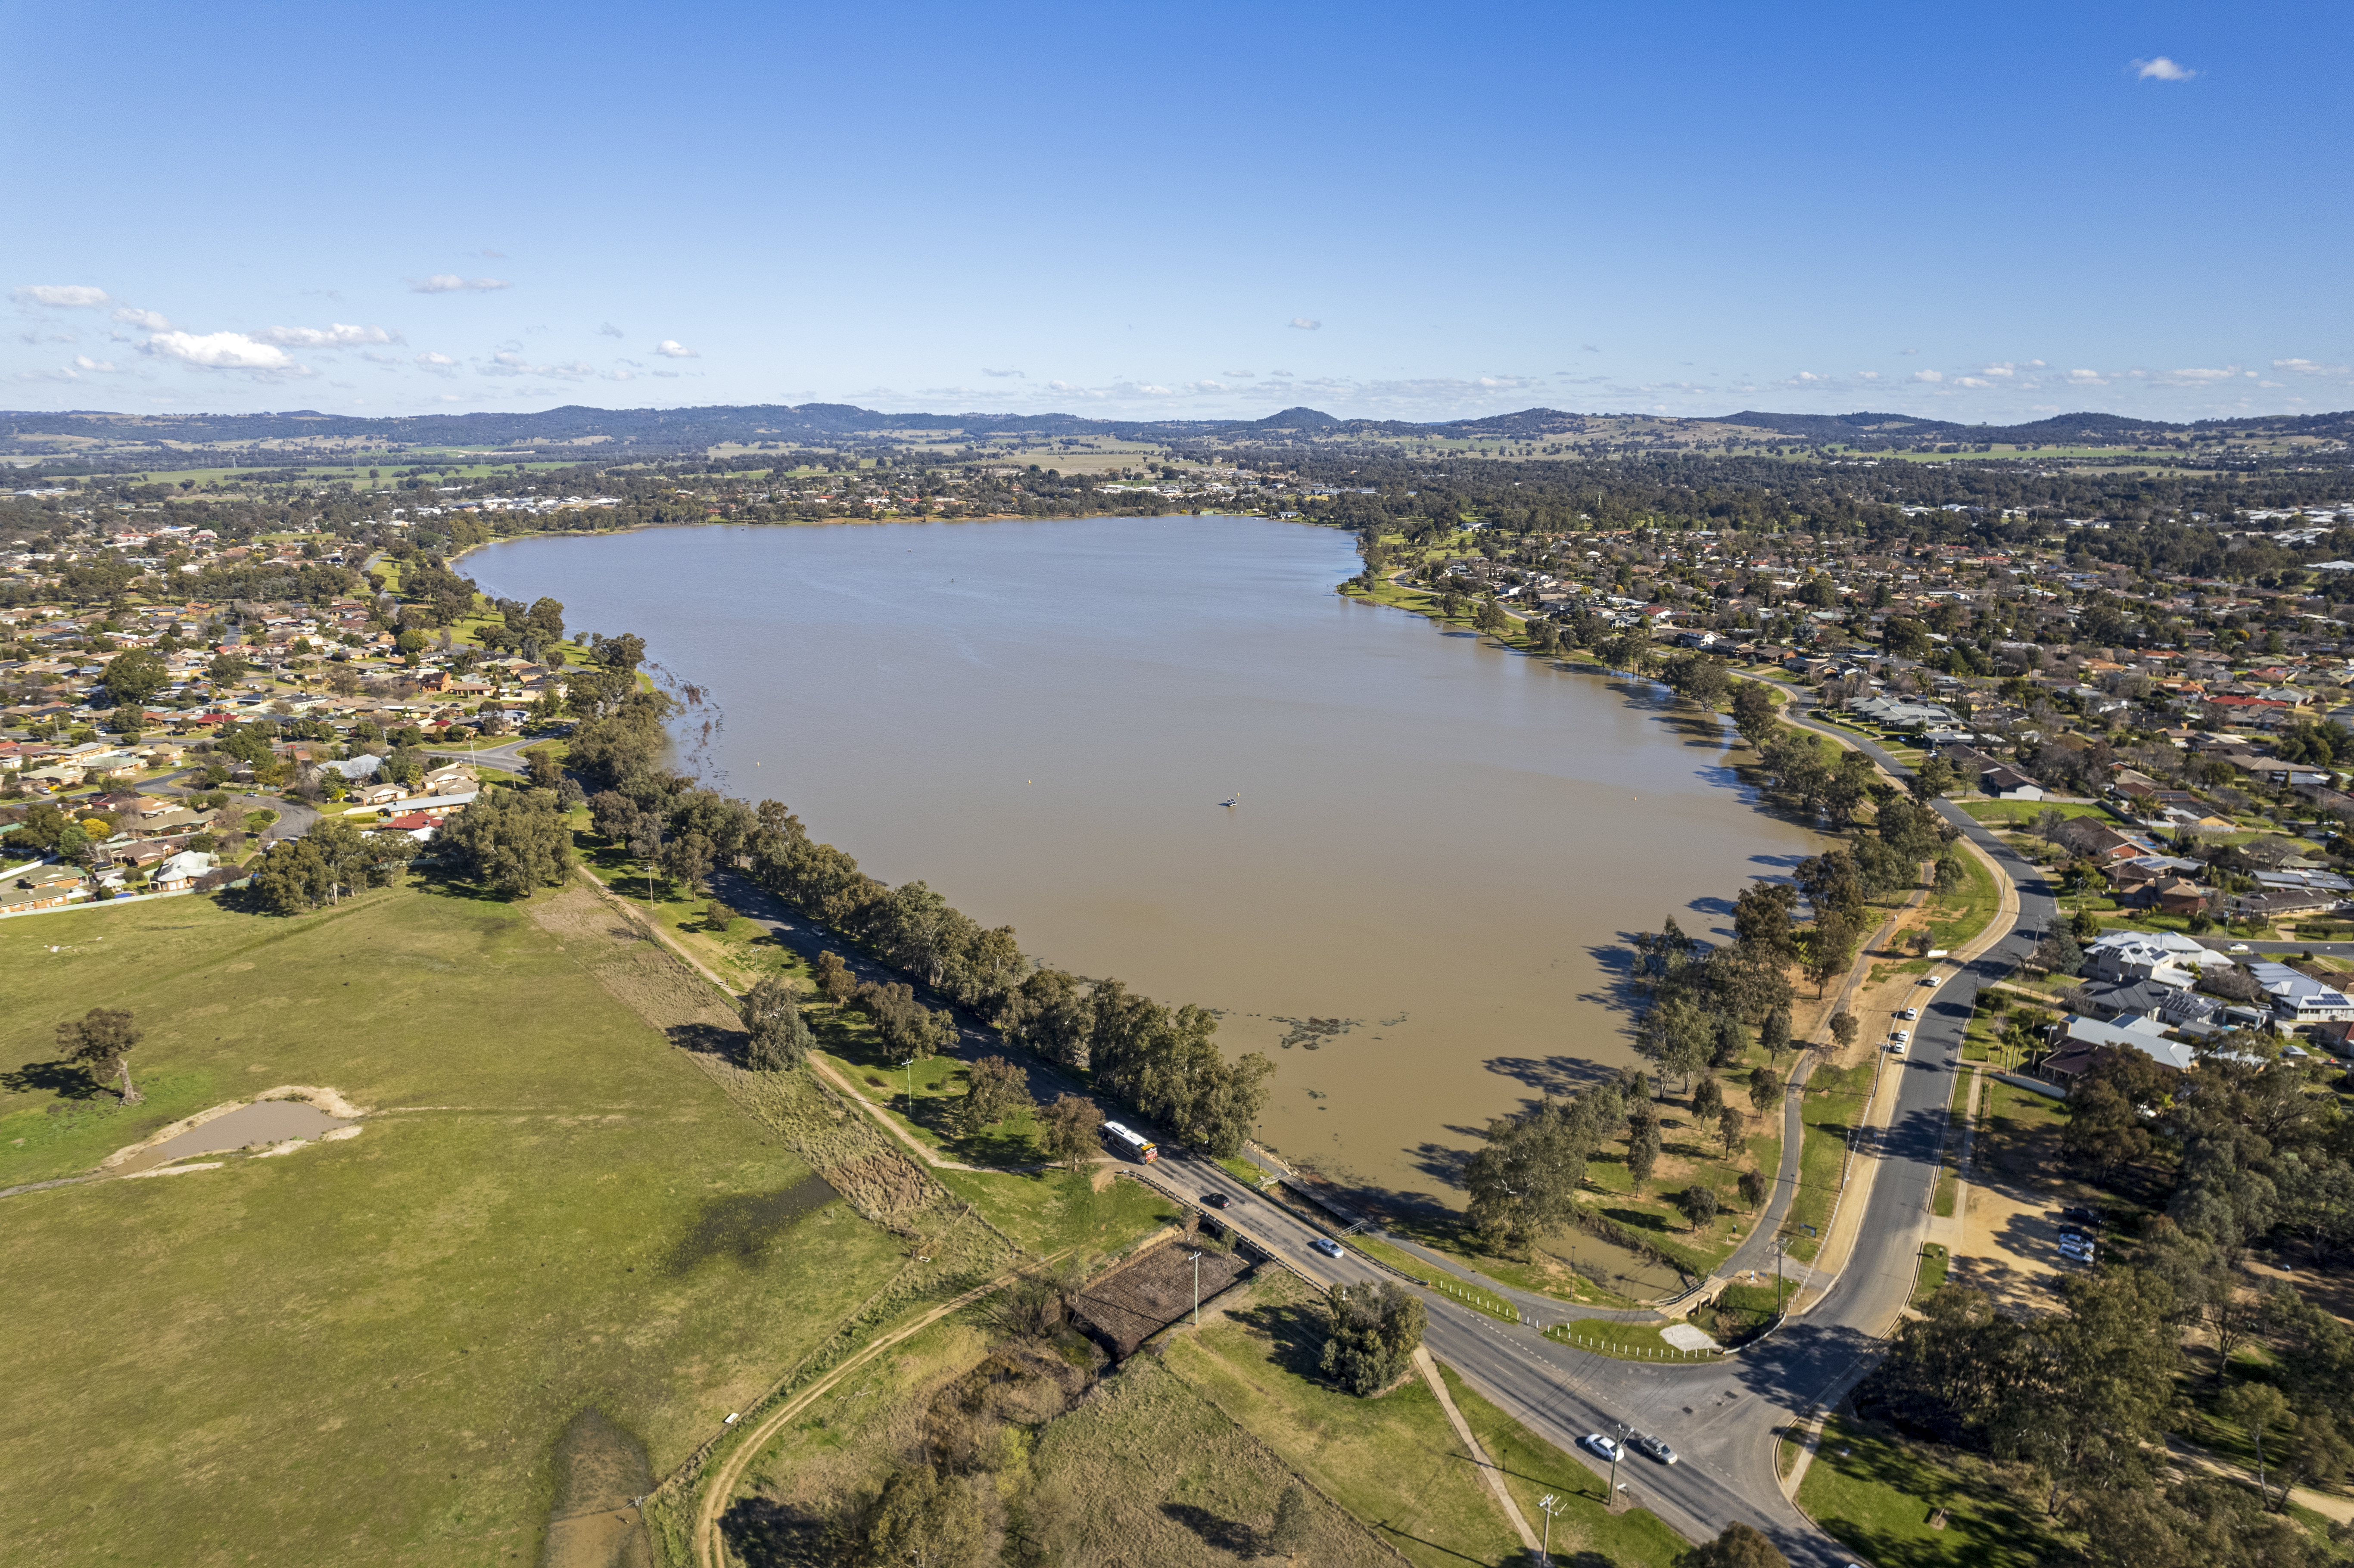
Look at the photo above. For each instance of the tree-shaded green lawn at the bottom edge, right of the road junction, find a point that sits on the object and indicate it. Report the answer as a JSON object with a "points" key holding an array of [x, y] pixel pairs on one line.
{"points": [[1877, 1496]]}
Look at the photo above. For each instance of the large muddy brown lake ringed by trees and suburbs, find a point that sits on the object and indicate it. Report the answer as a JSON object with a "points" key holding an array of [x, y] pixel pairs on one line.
{"points": [[1437, 844]]}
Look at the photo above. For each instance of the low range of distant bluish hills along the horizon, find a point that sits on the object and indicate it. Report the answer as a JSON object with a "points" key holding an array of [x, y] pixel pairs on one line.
{"points": [[646, 432]]}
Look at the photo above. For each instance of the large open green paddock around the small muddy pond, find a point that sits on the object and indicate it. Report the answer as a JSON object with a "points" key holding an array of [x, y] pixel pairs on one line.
{"points": [[366, 1353]]}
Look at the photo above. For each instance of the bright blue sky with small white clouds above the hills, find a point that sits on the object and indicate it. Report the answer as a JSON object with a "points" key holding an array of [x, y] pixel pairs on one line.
{"points": [[1421, 213]]}
